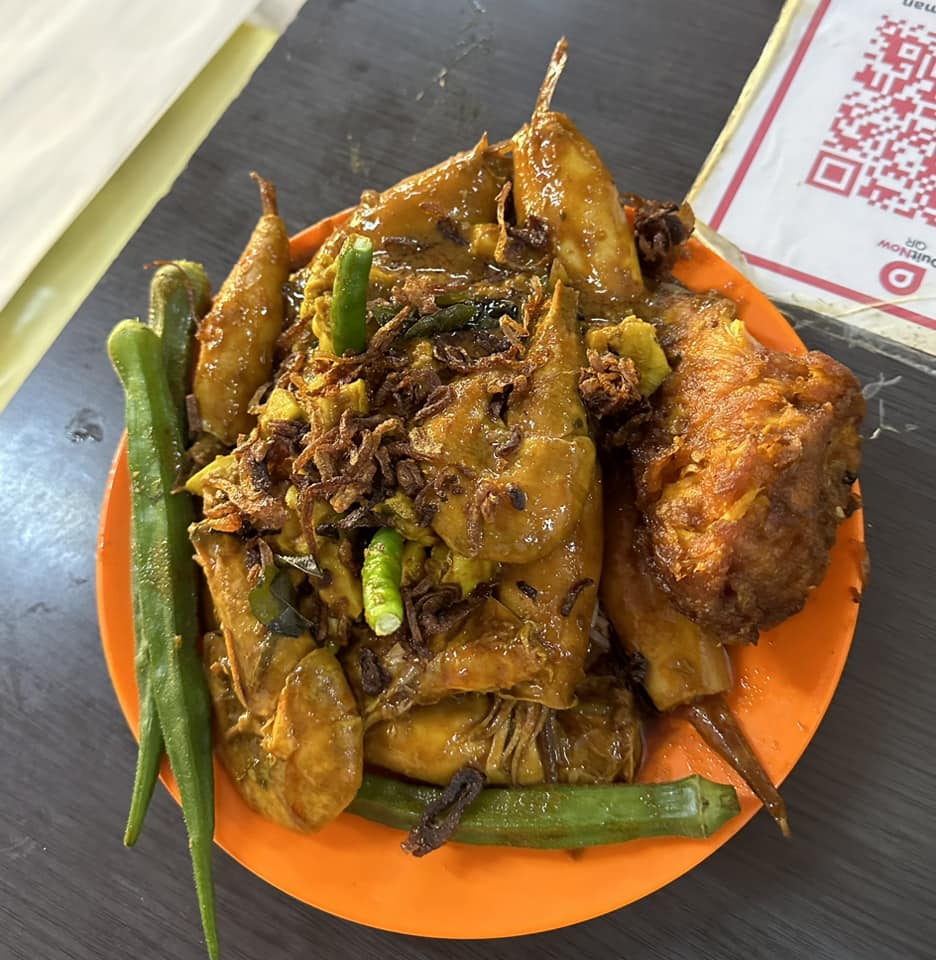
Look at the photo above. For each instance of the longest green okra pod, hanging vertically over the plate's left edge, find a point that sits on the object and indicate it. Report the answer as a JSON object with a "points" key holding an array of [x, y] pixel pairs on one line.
{"points": [[164, 574]]}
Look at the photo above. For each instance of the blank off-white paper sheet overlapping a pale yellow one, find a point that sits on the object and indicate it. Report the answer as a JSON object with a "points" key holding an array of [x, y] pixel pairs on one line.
{"points": [[81, 83]]}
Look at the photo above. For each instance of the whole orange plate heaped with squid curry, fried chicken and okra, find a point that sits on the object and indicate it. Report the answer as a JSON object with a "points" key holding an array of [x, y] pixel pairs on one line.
{"points": [[481, 559]]}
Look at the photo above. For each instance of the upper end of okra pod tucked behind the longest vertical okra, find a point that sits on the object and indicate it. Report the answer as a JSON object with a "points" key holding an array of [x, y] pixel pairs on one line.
{"points": [[179, 296]]}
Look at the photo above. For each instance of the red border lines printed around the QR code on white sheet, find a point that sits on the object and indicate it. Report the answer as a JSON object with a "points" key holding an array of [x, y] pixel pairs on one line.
{"points": [[747, 160]]}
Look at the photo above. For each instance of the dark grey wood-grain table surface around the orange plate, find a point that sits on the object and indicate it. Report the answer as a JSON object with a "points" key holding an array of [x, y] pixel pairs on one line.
{"points": [[355, 95]]}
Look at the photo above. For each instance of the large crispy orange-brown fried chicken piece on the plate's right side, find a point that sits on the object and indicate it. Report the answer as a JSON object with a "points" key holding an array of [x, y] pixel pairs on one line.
{"points": [[744, 469]]}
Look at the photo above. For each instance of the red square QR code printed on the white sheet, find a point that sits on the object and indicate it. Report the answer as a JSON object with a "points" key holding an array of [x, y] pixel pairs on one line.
{"points": [[881, 145]]}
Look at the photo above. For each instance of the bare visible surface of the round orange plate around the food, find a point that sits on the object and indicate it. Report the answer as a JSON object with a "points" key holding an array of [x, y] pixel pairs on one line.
{"points": [[356, 870]]}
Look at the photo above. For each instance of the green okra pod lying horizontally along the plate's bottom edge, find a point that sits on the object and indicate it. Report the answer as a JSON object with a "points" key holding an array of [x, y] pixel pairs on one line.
{"points": [[561, 816]]}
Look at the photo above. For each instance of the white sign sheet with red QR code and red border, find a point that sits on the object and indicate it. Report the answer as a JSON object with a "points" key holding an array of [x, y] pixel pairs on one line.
{"points": [[825, 177]]}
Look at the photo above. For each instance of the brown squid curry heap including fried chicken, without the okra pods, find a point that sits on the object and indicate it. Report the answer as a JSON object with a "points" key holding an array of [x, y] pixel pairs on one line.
{"points": [[523, 514]]}
